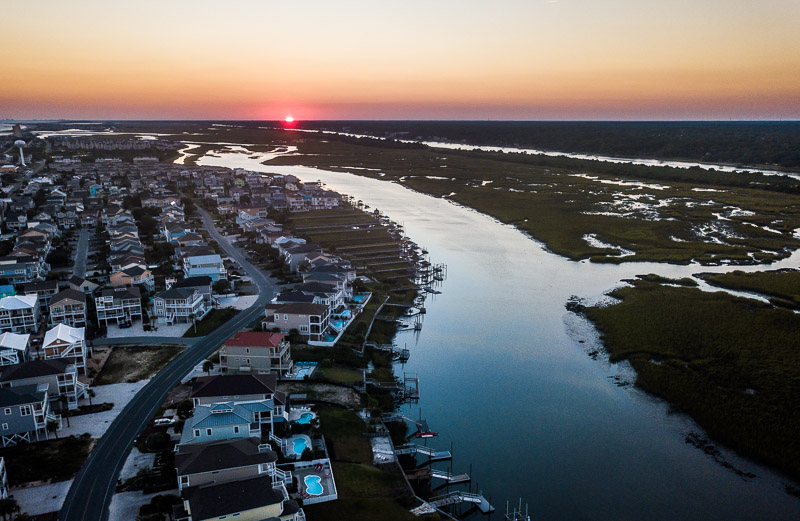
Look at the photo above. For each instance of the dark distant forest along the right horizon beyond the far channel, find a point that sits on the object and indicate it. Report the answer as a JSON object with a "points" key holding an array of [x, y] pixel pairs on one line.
{"points": [[743, 143]]}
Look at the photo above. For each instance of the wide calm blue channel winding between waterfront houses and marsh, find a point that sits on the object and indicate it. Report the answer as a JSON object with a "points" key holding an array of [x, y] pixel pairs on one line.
{"points": [[505, 375]]}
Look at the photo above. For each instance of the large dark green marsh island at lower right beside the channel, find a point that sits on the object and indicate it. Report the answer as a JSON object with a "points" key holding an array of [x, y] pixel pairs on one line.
{"points": [[733, 364]]}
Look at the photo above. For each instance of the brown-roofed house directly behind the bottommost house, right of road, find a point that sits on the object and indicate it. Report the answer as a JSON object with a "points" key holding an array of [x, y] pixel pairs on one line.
{"points": [[230, 460]]}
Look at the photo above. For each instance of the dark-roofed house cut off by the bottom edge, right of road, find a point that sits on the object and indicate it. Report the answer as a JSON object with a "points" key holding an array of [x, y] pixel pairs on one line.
{"points": [[250, 499]]}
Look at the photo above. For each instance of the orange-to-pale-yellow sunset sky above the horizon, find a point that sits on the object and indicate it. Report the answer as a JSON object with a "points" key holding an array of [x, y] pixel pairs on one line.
{"points": [[391, 59]]}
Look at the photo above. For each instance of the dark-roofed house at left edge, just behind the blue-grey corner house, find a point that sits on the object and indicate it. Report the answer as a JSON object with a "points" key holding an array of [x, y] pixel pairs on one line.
{"points": [[59, 376]]}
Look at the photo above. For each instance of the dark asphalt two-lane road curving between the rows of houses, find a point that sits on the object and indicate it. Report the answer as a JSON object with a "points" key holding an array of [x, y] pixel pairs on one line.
{"points": [[91, 491]]}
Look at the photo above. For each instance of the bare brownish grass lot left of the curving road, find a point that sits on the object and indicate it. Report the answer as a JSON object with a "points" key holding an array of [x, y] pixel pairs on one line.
{"points": [[134, 363]]}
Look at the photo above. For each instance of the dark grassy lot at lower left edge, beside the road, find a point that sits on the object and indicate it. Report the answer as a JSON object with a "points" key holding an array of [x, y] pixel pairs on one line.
{"points": [[55, 459]]}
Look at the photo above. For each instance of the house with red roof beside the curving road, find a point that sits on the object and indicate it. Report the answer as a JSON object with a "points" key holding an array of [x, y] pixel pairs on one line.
{"points": [[257, 353]]}
